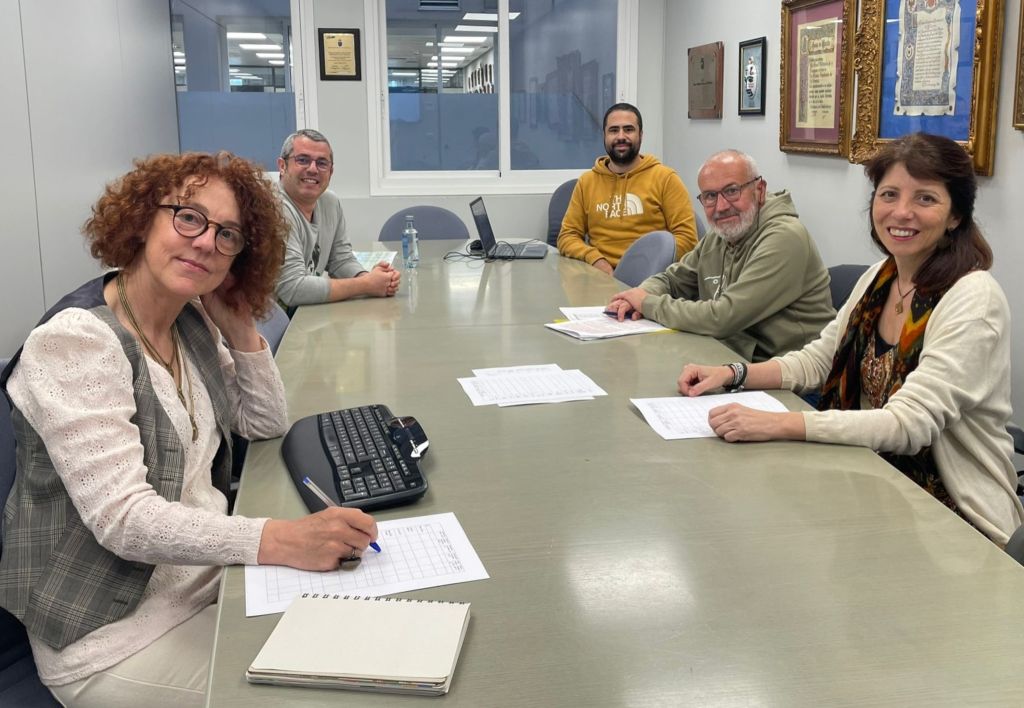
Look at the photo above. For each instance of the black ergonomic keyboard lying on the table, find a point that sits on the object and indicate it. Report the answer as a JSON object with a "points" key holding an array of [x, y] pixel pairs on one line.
{"points": [[363, 457]]}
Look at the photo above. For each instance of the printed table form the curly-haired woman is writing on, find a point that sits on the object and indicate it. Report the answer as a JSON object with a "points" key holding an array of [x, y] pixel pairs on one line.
{"points": [[416, 553]]}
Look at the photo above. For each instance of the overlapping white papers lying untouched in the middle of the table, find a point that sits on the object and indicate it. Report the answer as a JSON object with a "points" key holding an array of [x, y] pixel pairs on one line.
{"points": [[519, 390]]}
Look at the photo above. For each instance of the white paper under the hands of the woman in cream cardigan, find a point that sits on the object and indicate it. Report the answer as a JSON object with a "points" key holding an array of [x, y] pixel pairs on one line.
{"points": [[680, 418]]}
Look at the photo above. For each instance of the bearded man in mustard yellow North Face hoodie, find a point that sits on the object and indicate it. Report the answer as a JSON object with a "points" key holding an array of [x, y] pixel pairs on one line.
{"points": [[625, 196]]}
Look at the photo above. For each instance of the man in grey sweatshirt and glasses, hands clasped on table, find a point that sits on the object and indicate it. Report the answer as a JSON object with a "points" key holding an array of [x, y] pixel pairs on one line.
{"points": [[320, 266]]}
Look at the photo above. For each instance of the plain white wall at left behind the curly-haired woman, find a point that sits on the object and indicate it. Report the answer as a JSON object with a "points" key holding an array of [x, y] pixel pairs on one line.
{"points": [[75, 116]]}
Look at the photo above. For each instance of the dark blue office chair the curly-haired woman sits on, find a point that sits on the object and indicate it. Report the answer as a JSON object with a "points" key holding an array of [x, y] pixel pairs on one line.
{"points": [[20, 685]]}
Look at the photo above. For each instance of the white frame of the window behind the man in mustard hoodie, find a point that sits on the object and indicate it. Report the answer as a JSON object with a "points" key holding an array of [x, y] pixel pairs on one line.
{"points": [[385, 182]]}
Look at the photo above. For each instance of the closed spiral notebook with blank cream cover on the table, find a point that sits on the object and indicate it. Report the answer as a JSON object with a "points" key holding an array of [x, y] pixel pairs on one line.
{"points": [[387, 645]]}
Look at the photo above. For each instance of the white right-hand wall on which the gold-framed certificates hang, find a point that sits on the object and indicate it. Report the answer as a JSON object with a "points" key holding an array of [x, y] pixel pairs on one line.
{"points": [[832, 194]]}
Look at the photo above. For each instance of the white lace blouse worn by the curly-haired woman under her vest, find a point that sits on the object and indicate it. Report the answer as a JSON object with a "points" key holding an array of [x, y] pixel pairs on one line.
{"points": [[74, 386]]}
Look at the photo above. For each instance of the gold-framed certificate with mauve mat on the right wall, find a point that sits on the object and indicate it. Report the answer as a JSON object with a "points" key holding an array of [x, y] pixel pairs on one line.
{"points": [[817, 76]]}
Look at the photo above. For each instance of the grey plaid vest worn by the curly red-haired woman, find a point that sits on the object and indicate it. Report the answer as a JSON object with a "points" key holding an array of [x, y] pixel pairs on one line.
{"points": [[55, 576]]}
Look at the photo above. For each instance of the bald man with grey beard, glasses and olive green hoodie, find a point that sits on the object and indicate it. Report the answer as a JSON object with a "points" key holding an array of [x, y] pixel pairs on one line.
{"points": [[756, 281]]}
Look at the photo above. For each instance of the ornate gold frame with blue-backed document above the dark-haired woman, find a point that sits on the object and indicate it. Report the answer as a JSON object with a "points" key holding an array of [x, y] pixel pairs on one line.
{"points": [[899, 53]]}
